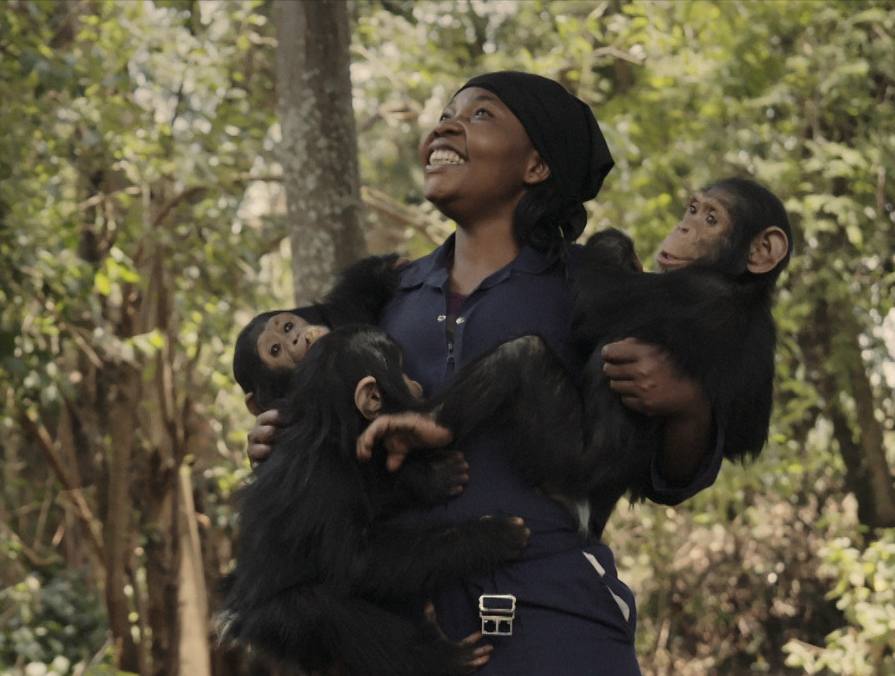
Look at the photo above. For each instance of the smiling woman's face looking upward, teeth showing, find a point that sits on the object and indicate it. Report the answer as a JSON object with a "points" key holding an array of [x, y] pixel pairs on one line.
{"points": [[478, 158]]}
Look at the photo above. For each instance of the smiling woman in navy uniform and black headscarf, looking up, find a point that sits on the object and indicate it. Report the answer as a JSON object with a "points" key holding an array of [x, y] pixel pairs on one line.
{"points": [[512, 160]]}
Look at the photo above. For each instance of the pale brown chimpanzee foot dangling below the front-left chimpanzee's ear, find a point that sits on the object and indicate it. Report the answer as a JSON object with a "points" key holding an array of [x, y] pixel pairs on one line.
{"points": [[400, 433]]}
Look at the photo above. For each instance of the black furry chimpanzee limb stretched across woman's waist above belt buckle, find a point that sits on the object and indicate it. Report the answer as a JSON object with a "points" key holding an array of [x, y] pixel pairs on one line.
{"points": [[402, 562]]}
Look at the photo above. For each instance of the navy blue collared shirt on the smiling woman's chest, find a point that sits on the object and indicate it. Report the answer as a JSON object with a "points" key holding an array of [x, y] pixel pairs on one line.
{"points": [[529, 296]]}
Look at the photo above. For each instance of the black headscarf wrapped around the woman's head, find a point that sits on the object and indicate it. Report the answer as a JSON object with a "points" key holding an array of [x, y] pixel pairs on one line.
{"points": [[562, 128]]}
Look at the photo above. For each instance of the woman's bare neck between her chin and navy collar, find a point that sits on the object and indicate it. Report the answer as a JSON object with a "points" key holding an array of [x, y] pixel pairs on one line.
{"points": [[479, 252]]}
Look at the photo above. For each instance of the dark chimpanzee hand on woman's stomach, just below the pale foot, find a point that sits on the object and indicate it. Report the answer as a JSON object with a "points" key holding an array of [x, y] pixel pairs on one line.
{"points": [[432, 479]]}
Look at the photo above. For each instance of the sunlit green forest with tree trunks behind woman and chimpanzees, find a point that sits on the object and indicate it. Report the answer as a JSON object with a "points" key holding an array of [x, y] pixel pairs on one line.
{"points": [[143, 220]]}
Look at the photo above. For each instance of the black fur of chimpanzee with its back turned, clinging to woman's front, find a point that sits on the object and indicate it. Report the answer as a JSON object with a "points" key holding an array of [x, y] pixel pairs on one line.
{"points": [[317, 570]]}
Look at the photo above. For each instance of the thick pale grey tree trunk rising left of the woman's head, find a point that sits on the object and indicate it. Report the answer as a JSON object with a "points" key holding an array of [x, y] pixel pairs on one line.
{"points": [[319, 142]]}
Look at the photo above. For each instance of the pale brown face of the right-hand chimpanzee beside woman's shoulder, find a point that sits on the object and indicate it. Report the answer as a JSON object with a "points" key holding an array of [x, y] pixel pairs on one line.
{"points": [[701, 235]]}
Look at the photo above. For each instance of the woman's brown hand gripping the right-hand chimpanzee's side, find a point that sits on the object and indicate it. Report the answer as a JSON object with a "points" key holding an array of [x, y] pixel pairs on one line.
{"points": [[648, 381]]}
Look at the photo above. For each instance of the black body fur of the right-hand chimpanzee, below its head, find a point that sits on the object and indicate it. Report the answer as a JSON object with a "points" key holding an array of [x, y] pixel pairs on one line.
{"points": [[717, 327]]}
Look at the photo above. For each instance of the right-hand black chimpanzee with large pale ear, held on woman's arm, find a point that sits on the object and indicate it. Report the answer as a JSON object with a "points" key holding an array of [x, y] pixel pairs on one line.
{"points": [[710, 309]]}
